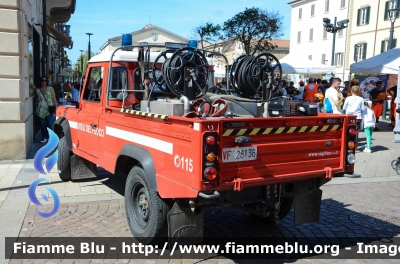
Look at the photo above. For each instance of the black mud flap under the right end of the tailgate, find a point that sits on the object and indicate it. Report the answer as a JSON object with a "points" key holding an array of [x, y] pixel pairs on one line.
{"points": [[307, 207]]}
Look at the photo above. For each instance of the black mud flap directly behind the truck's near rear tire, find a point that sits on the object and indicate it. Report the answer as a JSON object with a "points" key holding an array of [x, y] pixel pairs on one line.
{"points": [[185, 226]]}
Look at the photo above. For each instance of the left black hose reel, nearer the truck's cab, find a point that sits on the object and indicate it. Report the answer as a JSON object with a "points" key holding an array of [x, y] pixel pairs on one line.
{"points": [[178, 74]]}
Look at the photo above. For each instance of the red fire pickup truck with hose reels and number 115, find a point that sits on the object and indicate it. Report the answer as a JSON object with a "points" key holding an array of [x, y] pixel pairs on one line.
{"points": [[145, 113]]}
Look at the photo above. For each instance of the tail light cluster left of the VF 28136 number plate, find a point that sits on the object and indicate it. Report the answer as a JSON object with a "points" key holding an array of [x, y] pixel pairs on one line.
{"points": [[210, 150]]}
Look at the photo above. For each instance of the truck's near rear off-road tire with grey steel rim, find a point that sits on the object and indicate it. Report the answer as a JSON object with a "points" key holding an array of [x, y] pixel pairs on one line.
{"points": [[147, 217]]}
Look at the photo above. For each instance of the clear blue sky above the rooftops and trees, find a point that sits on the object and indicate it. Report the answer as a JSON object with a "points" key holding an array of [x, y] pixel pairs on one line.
{"points": [[107, 19]]}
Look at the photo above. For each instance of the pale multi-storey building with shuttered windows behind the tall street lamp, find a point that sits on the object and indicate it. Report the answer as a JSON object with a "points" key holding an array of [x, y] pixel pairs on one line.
{"points": [[367, 33]]}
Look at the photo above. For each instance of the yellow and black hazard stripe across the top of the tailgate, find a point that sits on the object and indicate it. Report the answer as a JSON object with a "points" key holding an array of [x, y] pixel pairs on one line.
{"points": [[279, 130]]}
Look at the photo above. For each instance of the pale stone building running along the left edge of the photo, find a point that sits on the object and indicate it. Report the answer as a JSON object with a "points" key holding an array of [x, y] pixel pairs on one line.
{"points": [[27, 43]]}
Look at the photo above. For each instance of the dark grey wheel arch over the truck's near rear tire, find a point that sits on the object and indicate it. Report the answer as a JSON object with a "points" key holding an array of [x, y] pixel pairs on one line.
{"points": [[133, 155]]}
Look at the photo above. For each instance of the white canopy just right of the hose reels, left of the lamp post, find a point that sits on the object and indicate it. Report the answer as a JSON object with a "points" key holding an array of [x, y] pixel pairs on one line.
{"points": [[297, 63]]}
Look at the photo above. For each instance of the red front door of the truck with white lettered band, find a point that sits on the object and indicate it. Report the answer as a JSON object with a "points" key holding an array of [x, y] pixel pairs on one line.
{"points": [[89, 130]]}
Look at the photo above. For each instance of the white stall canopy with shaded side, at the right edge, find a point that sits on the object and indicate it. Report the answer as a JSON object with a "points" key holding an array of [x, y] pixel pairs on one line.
{"points": [[384, 63]]}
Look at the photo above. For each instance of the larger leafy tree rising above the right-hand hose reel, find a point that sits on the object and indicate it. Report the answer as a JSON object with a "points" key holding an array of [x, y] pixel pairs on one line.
{"points": [[255, 28]]}
